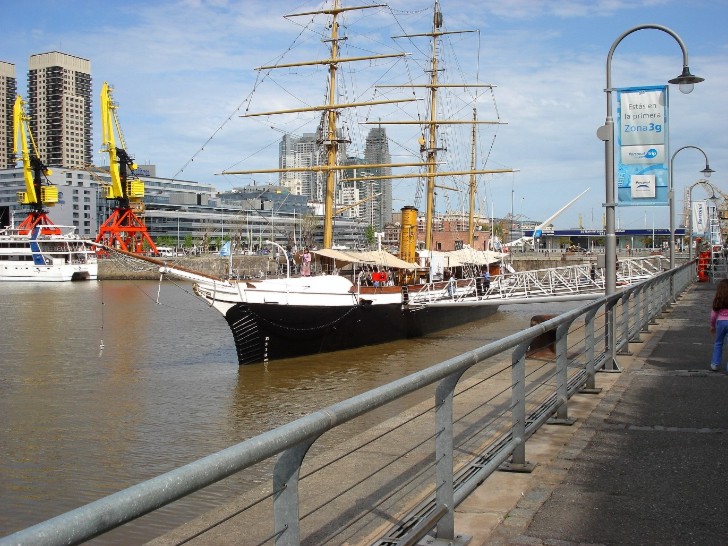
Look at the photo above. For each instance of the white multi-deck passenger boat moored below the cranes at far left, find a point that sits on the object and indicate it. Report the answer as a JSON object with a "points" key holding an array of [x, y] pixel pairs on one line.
{"points": [[46, 253]]}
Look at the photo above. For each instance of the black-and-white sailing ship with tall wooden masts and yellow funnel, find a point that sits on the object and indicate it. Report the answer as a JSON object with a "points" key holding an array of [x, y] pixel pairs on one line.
{"points": [[278, 318]]}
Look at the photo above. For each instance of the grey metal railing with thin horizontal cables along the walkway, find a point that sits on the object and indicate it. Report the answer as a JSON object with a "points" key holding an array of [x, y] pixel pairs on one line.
{"points": [[403, 477]]}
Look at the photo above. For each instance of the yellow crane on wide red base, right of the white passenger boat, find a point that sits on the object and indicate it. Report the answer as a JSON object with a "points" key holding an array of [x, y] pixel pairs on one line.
{"points": [[123, 228]]}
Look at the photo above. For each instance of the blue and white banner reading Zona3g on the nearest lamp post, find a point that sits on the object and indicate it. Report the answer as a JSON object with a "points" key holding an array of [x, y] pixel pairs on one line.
{"points": [[642, 144]]}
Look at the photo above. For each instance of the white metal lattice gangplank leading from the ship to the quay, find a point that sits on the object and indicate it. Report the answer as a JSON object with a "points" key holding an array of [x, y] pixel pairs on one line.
{"points": [[567, 283]]}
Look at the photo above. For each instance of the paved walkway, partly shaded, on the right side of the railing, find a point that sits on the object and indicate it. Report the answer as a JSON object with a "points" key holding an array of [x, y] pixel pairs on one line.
{"points": [[646, 462]]}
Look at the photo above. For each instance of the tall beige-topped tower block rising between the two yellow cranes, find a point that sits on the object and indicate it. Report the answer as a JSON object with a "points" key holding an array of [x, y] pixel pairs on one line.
{"points": [[59, 104]]}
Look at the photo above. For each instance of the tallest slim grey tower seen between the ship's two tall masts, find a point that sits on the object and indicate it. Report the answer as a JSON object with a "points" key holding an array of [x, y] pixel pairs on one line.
{"points": [[376, 152]]}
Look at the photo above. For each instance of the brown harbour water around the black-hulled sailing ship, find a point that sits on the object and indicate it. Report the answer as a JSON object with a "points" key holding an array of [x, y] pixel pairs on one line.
{"points": [[101, 387]]}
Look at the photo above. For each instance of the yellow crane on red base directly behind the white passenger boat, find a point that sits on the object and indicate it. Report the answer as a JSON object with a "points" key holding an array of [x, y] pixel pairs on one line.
{"points": [[39, 192]]}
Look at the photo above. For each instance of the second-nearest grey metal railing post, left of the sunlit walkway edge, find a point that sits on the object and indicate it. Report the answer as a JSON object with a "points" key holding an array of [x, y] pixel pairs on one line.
{"points": [[444, 491]]}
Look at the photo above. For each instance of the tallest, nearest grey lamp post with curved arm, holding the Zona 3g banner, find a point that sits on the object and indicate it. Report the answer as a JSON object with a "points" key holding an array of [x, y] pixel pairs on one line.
{"points": [[686, 82]]}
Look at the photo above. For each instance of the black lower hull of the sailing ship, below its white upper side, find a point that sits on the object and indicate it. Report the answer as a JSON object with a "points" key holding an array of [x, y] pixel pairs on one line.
{"points": [[264, 332]]}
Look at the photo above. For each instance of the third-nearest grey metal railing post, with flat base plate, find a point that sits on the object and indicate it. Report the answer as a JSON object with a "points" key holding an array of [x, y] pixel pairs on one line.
{"points": [[518, 461]]}
